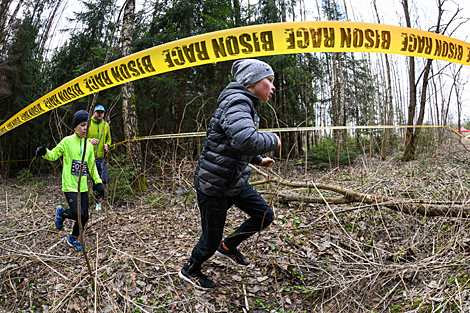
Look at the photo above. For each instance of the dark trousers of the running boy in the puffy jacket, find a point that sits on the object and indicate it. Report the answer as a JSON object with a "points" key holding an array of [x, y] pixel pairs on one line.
{"points": [[213, 214]]}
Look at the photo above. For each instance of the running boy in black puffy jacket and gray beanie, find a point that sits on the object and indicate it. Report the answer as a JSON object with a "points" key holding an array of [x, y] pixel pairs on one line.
{"points": [[221, 176]]}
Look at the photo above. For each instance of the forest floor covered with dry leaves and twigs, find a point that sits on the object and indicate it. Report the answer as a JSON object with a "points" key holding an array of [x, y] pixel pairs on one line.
{"points": [[348, 257]]}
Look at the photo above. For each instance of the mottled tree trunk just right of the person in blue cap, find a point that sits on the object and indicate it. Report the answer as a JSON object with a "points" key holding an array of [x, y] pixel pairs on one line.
{"points": [[129, 110]]}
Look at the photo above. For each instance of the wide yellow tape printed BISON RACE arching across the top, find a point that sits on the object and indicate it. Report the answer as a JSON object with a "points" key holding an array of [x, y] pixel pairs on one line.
{"points": [[249, 42]]}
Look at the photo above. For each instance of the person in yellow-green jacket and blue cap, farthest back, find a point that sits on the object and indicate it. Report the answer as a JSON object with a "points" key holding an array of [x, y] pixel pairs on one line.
{"points": [[99, 136]]}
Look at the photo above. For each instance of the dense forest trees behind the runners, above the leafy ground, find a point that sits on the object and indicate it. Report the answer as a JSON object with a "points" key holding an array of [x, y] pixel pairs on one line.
{"points": [[315, 89]]}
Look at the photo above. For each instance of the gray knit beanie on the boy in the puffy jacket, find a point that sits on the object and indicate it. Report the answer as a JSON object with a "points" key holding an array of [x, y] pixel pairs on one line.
{"points": [[250, 71]]}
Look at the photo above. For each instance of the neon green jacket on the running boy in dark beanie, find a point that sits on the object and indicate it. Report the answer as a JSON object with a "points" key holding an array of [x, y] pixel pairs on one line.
{"points": [[71, 148]]}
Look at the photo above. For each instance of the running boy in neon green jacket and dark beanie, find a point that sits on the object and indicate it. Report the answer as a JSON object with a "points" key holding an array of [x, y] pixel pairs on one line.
{"points": [[72, 148]]}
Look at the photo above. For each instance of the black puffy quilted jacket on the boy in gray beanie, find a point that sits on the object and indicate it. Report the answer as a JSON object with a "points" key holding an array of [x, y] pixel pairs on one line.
{"points": [[232, 141]]}
